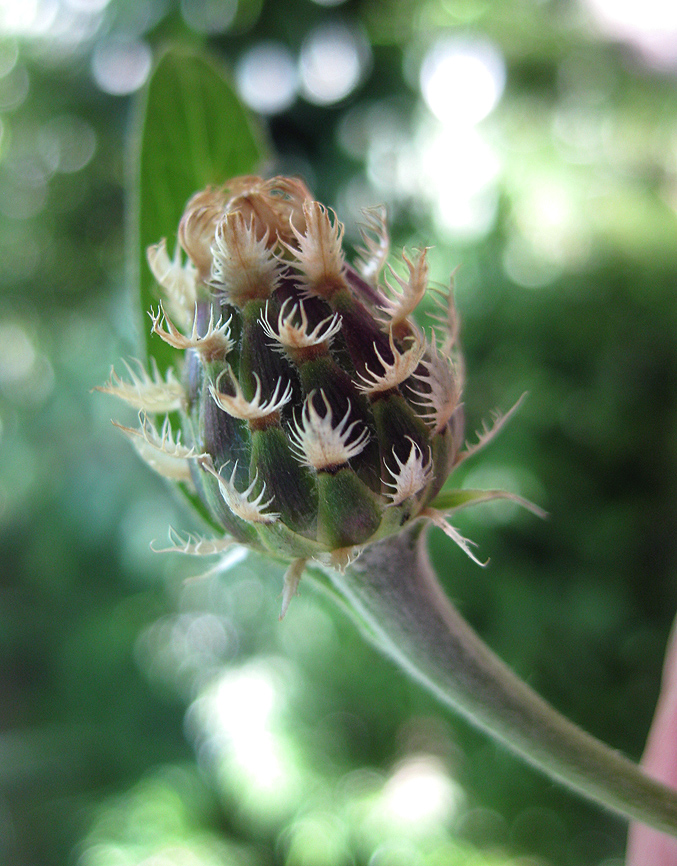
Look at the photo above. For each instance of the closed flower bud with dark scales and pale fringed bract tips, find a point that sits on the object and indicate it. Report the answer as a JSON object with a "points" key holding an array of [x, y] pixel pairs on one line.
{"points": [[316, 416]]}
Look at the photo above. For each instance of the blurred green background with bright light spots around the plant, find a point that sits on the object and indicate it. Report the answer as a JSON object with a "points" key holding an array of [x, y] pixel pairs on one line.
{"points": [[153, 713]]}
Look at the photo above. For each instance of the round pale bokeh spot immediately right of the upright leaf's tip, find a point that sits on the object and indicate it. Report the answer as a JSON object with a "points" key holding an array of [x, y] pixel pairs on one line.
{"points": [[266, 77]]}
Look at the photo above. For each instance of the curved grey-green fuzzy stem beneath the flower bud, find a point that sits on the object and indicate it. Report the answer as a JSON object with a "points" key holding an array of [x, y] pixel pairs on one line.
{"points": [[395, 593]]}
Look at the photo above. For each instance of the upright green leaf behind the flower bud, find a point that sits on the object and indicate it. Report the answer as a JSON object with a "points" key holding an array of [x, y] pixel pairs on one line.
{"points": [[191, 131]]}
